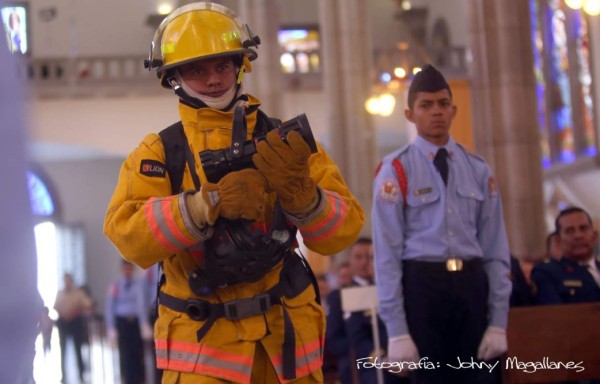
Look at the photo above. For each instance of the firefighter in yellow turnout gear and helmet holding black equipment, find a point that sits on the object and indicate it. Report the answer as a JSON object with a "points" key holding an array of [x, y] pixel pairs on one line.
{"points": [[262, 326]]}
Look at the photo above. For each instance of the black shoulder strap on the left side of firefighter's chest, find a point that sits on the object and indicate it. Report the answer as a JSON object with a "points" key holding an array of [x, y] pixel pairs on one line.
{"points": [[177, 152]]}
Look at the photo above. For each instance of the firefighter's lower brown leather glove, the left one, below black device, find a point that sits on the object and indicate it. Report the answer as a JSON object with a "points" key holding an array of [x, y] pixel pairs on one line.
{"points": [[238, 195]]}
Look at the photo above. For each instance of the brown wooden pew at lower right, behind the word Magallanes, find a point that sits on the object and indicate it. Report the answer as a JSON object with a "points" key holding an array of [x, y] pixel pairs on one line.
{"points": [[553, 336]]}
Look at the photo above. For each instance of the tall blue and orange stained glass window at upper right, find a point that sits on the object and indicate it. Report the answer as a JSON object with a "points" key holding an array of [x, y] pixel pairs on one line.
{"points": [[561, 59]]}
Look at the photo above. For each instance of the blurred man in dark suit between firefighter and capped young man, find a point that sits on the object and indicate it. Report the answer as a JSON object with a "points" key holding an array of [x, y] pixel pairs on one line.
{"points": [[349, 335]]}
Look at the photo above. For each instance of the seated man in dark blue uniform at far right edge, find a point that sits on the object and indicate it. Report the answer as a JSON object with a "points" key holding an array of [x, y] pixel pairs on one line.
{"points": [[575, 278]]}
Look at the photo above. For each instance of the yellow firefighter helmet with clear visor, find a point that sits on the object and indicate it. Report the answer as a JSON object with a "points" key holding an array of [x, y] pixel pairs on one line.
{"points": [[200, 31]]}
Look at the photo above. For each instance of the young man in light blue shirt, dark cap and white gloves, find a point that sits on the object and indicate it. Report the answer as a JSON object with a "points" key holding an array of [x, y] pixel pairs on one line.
{"points": [[441, 252]]}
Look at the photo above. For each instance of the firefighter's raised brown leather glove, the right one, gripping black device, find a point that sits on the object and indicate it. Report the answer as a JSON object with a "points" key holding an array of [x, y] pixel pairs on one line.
{"points": [[285, 166]]}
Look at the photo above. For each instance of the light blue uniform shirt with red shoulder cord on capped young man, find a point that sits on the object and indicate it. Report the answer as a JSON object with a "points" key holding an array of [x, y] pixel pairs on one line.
{"points": [[463, 220]]}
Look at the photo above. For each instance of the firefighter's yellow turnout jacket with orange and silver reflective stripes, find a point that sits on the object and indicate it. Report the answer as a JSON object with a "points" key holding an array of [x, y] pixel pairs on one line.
{"points": [[148, 224]]}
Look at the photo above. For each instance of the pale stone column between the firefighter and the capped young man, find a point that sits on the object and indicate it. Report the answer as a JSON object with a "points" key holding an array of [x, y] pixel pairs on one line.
{"points": [[347, 75]]}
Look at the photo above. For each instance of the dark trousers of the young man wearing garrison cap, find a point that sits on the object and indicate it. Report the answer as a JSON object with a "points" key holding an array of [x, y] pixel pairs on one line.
{"points": [[447, 315]]}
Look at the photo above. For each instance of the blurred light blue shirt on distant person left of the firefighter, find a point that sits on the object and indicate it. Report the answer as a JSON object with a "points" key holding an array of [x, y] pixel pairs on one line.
{"points": [[126, 301]]}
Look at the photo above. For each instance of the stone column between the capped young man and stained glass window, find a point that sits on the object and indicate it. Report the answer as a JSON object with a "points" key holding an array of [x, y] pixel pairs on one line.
{"points": [[505, 117]]}
